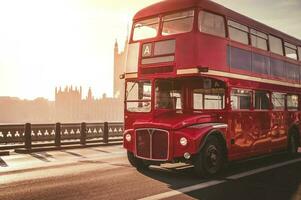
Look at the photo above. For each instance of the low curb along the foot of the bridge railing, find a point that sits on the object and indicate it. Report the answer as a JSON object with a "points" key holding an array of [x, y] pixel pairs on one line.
{"points": [[54, 148]]}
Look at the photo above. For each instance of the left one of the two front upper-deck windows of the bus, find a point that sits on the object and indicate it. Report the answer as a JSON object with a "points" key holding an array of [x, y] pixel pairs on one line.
{"points": [[146, 29]]}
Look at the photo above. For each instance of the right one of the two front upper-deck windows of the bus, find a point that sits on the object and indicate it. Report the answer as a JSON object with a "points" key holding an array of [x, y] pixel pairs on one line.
{"points": [[181, 22]]}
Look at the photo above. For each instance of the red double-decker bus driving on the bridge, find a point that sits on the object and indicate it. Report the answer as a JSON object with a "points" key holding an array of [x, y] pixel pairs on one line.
{"points": [[206, 85]]}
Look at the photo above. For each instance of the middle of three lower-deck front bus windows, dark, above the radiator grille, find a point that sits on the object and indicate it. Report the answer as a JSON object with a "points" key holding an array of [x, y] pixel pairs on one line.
{"points": [[168, 95]]}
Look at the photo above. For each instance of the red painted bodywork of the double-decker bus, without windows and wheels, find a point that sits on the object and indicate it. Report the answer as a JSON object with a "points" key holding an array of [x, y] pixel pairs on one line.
{"points": [[199, 57]]}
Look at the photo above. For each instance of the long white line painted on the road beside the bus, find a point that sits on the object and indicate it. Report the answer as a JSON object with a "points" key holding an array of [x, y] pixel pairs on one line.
{"points": [[216, 182]]}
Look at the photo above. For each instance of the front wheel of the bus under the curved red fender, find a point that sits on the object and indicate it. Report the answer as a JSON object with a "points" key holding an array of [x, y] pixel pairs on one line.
{"points": [[210, 159]]}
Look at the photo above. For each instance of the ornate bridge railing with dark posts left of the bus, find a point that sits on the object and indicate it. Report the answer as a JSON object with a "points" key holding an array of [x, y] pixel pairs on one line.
{"points": [[29, 135]]}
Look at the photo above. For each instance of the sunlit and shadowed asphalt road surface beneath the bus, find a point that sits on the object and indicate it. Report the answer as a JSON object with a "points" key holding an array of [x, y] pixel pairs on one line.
{"points": [[104, 173]]}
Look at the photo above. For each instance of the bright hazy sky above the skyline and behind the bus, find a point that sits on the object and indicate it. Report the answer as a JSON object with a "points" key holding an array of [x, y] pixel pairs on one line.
{"points": [[48, 43]]}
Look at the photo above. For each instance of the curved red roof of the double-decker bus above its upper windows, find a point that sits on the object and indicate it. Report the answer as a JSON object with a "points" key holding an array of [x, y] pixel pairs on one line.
{"points": [[166, 6]]}
